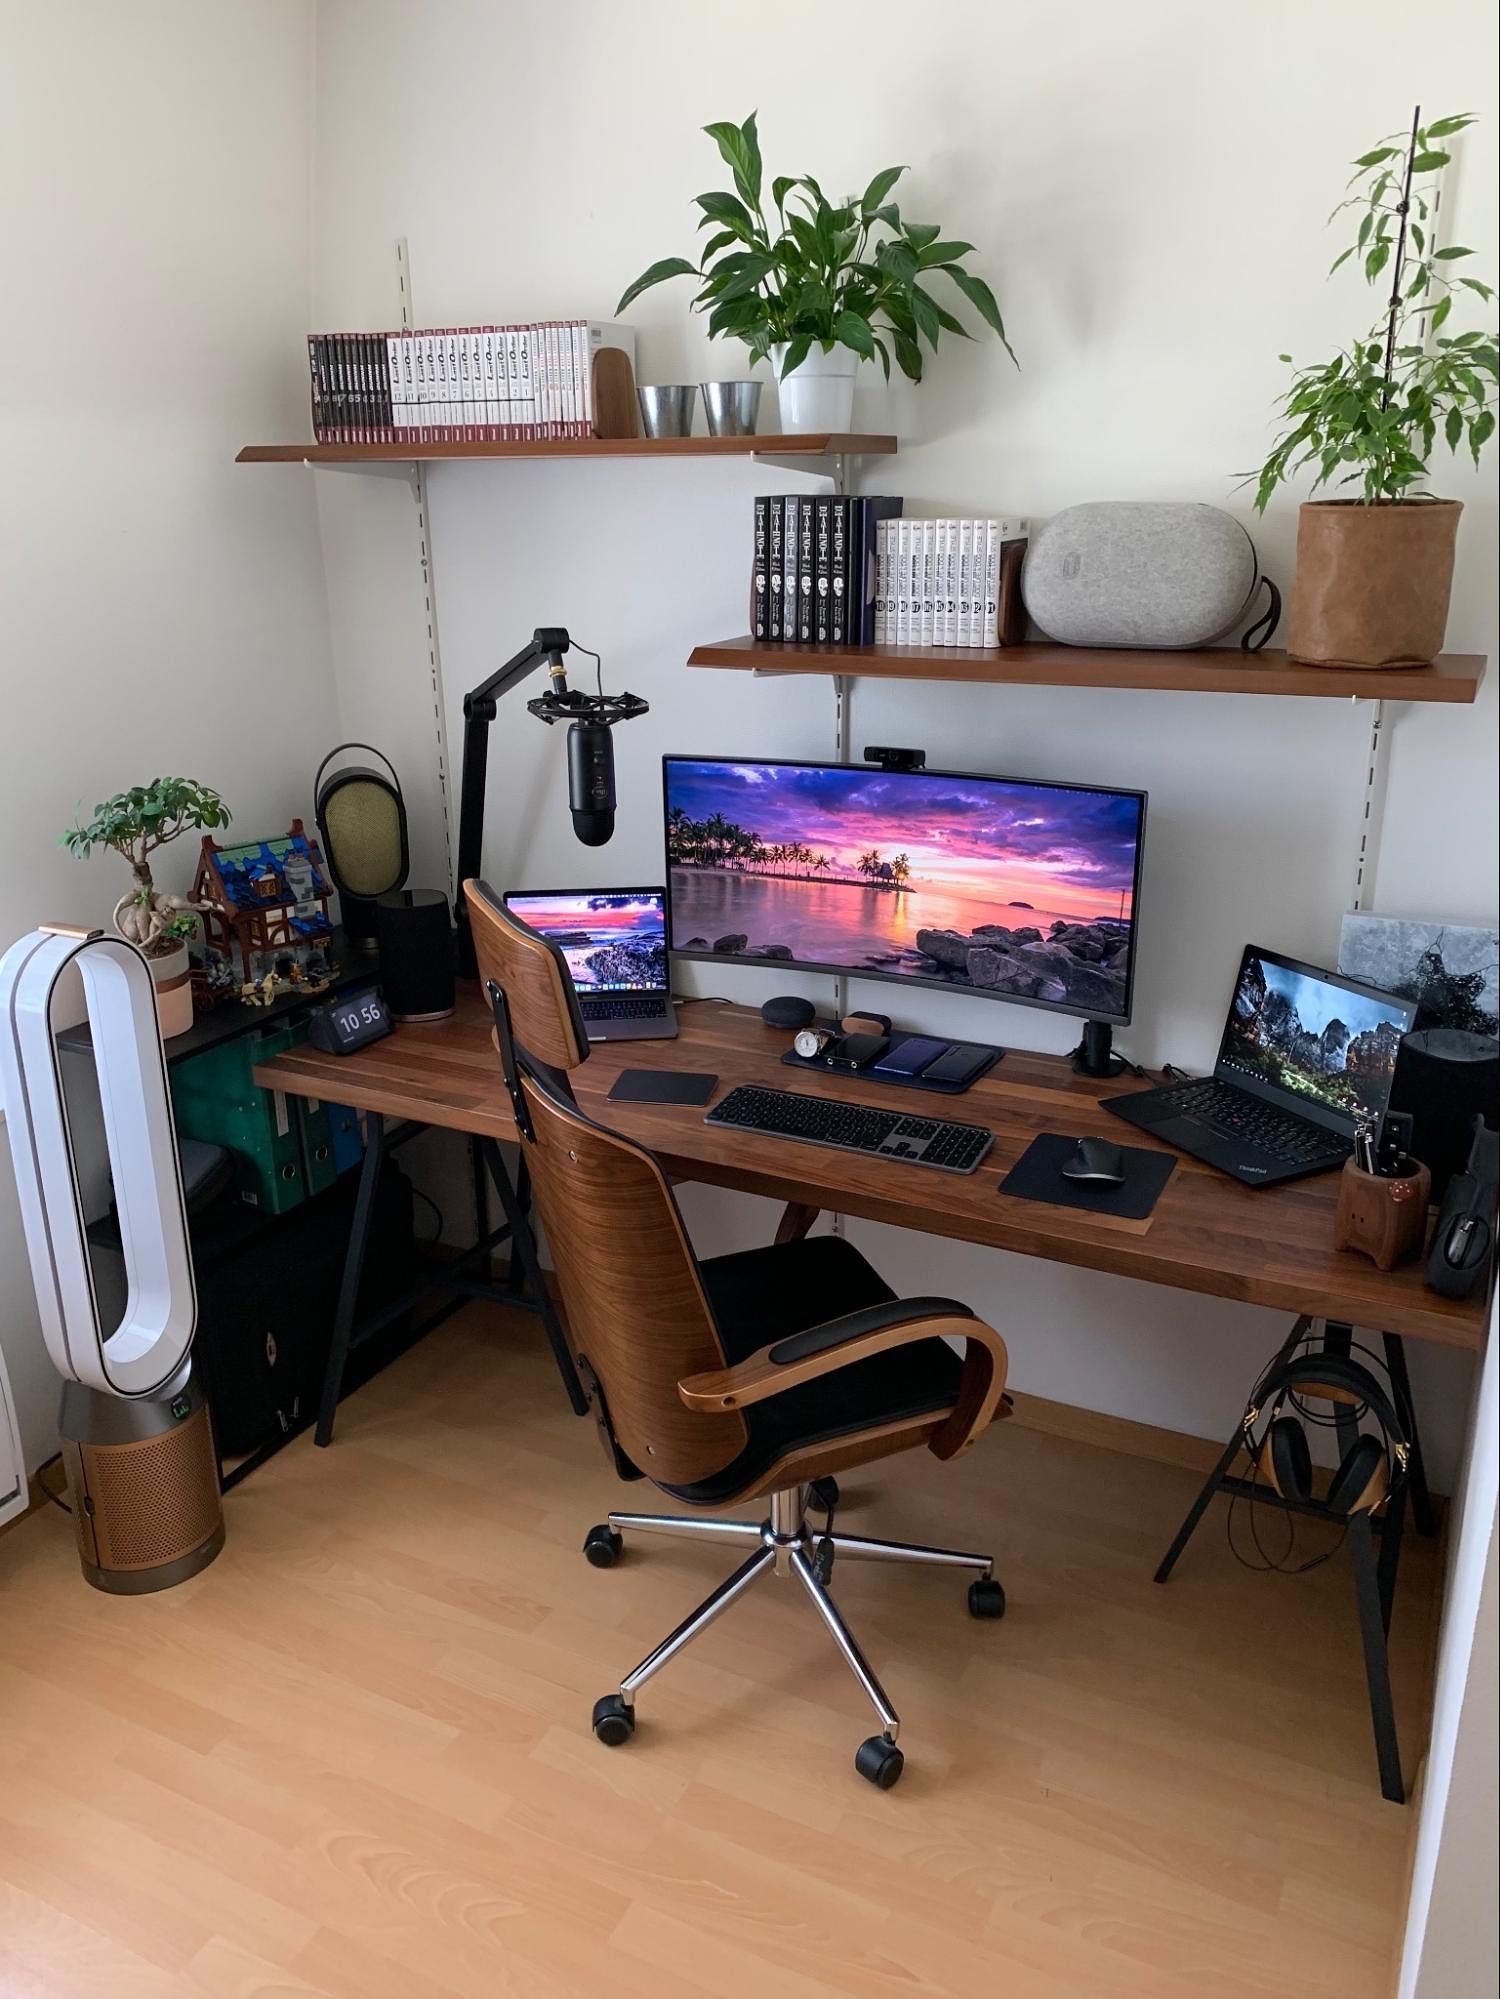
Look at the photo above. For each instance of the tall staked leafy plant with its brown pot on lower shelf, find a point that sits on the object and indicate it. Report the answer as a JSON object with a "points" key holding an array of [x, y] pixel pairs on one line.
{"points": [[1375, 573]]}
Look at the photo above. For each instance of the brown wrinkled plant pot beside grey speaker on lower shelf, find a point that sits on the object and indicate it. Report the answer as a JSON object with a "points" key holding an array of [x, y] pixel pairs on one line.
{"points": [[1373, 583]]}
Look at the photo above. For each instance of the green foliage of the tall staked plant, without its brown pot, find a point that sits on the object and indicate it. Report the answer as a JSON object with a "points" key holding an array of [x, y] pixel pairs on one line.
{"points": [[1371, 417]]}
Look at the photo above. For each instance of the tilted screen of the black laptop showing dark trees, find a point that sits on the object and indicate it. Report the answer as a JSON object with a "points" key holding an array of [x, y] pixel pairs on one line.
{"points": [[1317, 1042]]}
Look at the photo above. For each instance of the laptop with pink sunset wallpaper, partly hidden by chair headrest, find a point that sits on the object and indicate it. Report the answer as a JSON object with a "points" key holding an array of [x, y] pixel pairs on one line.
{"points": [[615, 943]]}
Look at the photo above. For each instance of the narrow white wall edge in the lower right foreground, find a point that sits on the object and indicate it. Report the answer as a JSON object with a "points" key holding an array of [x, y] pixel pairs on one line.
{"points": [[1451, 1936]]}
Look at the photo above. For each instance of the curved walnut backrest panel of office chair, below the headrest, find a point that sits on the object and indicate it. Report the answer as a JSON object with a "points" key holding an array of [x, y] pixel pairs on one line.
{"points": [[637, 1310]]}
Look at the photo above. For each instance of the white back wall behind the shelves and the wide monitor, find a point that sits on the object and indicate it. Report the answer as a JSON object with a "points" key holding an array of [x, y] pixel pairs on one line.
{"points": [[1149, 193]]}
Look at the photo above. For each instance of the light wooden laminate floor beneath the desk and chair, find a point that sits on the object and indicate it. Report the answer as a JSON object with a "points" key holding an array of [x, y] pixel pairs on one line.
{"points": [[353, 1758]]}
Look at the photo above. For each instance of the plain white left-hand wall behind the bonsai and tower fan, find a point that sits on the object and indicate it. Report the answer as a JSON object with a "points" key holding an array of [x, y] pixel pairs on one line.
{"points": [[163, 611]]}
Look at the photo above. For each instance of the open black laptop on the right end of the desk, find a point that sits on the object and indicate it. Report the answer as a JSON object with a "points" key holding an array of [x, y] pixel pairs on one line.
{"points": [[1303, 1054]]}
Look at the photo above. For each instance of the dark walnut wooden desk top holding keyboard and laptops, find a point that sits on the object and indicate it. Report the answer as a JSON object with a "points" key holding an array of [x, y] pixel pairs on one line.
{"points": [[1207, 1234]]}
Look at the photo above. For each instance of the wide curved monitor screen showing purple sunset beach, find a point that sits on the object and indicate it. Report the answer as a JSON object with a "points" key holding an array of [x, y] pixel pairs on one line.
{"points": [[997, 887]]}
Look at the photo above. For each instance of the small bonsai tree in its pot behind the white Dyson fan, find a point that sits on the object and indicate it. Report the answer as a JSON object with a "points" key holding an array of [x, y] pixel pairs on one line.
{"points": [[135, 825]]}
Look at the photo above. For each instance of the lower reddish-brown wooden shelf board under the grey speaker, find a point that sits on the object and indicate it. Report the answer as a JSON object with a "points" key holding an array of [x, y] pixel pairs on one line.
{"points": [[1455, 677]]}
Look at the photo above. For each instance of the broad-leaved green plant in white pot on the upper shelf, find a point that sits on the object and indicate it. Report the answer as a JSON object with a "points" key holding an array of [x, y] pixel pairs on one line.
{"points": [[825, 287]]}
